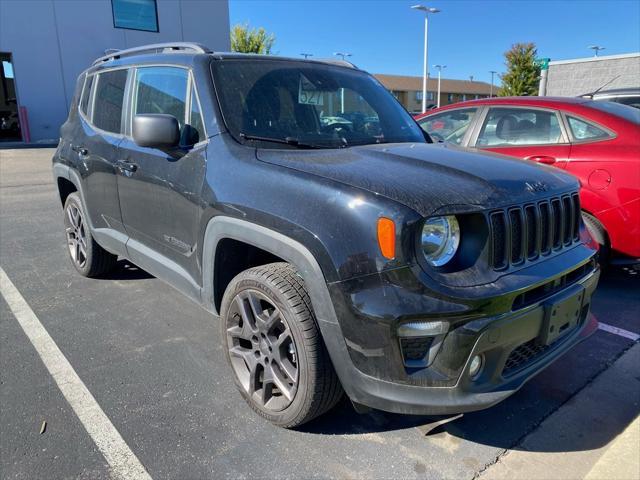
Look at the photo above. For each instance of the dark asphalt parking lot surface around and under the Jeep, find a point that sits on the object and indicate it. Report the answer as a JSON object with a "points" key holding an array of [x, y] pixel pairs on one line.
{"points": [[152, 361]]}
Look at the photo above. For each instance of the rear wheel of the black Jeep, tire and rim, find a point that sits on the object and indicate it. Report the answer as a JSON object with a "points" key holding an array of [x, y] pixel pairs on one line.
{"points": [[88, 258]]}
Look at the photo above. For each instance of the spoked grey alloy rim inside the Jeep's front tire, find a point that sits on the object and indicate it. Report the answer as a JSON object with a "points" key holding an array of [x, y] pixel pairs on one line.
{"points": [[262, 350]]}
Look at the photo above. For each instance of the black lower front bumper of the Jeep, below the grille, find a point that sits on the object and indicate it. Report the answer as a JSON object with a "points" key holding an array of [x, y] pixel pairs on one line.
{"points": [[373, 373]]}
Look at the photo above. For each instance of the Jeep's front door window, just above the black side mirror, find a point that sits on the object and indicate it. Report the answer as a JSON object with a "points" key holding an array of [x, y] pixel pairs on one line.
{"points": [[161, 90]]}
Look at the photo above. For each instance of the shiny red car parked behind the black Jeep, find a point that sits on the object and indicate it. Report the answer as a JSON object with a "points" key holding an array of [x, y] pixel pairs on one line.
{"points": [[599, 142]]}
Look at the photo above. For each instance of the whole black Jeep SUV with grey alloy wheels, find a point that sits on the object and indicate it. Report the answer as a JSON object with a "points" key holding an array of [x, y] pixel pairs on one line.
{"points": [[341, 249]]}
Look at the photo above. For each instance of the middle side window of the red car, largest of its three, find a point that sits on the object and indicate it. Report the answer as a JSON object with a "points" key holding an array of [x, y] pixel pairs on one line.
{"points": [[519, 126]]}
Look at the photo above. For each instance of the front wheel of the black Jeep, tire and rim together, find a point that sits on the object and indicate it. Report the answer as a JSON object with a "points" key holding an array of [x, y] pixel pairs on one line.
{"points": [[280, 294]]}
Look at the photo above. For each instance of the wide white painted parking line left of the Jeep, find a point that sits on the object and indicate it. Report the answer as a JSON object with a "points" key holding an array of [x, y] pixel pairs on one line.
{"points": [[122, 461]]}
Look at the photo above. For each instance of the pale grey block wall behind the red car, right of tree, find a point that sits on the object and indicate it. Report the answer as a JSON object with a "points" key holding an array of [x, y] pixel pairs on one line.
{"points": [[570, 78]]}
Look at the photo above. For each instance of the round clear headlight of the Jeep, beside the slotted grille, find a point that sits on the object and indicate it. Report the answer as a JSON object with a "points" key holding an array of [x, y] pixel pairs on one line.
{"points": [[440, 239]]}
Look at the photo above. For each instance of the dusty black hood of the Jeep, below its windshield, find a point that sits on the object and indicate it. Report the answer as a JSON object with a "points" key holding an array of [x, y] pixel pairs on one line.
{"points": [[428, 177]]}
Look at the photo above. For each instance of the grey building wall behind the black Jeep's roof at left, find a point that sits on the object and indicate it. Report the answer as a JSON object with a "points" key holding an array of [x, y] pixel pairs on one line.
{"points": [[52, 41]]}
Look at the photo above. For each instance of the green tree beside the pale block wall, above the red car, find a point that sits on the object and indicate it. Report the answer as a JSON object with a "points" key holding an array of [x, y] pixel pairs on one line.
{"points": [[523, 76]]}
